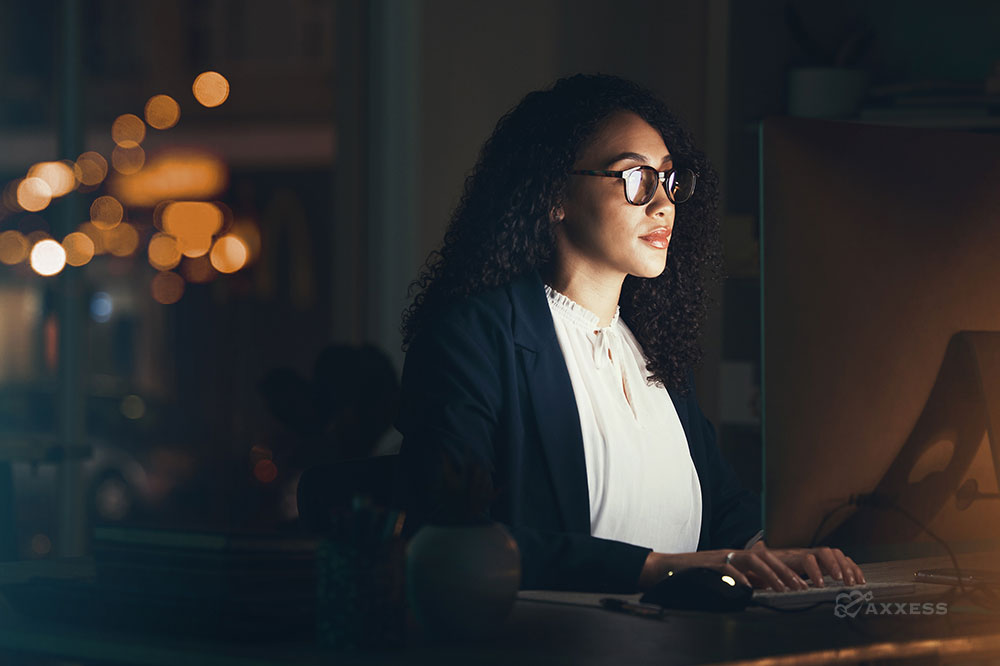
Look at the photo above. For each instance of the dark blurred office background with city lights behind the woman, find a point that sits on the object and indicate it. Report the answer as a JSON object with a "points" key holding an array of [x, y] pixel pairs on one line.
{"points": [[194, 393]]}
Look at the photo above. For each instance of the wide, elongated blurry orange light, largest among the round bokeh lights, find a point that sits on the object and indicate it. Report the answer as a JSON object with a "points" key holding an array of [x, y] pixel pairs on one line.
{"points": [[177, 174]]}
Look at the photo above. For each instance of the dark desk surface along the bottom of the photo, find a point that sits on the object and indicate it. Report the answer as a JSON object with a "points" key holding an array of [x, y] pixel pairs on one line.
{"points": [[572, 628]]}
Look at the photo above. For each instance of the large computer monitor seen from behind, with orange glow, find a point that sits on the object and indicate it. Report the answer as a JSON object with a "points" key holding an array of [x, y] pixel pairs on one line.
{"points": [[880, 351]]}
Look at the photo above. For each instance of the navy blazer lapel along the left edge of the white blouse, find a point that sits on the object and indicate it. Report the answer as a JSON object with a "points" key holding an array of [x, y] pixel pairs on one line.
{"points": [[552, 400]]}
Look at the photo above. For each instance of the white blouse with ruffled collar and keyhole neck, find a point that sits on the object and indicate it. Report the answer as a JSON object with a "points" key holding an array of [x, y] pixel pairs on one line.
{"points": [[643, 485]]}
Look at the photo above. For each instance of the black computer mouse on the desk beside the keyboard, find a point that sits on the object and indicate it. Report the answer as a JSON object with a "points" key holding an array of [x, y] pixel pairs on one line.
{"points": [[699, 588]]}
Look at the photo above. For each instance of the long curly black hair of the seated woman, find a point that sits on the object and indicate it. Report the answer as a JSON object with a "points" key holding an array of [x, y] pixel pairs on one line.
{"points": [[502, 226]]}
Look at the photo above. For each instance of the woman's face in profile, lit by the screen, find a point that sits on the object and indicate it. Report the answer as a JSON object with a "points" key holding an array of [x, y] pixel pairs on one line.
{"points": [[600, 230]]}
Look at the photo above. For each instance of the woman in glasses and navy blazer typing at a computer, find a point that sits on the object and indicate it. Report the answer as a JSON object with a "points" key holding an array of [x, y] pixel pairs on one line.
{"points": [[549, 354]]}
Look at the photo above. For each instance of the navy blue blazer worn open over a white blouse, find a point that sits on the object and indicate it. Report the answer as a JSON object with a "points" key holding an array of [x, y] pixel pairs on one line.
{"points": [[486, 387]]}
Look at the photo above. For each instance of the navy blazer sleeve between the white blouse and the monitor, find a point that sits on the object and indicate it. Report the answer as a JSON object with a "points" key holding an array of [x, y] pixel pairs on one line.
{"points": [[736, 512]]}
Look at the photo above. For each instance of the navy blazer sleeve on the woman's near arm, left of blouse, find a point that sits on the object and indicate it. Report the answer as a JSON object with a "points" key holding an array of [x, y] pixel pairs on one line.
{"points": [[451, 405]]}
